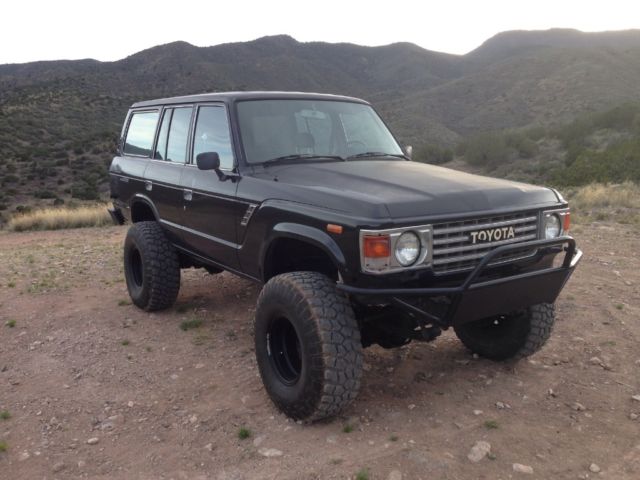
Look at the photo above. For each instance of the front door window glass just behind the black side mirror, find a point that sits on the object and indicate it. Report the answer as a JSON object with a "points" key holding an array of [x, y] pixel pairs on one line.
{"points": [[212, 135]]}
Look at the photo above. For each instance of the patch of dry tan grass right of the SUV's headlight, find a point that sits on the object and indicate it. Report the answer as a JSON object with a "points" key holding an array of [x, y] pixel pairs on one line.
{"points": [[620, 203]]}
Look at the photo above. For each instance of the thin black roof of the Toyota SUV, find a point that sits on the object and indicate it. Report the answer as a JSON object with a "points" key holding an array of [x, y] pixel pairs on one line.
{"points": [[230, 97]]}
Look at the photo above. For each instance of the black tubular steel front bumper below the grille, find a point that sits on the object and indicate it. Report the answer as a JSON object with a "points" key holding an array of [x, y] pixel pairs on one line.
{"points": [[478, 297]]}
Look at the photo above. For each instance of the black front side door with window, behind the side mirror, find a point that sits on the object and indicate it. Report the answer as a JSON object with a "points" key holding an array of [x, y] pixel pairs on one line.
{"points": [[210, 207]]}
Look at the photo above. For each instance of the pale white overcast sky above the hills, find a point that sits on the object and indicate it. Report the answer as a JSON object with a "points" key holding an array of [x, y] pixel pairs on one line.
{"points": [[63, 29]]}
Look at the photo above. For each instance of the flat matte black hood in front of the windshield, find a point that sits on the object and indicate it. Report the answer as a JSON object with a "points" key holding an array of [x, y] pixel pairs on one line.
{"points": [[400, 189]]}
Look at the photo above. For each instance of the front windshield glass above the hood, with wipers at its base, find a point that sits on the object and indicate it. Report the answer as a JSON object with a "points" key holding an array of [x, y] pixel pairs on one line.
{"points": [[311, 129]]}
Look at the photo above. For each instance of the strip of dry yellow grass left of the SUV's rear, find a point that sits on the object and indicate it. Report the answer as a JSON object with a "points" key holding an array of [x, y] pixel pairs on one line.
{"points": [[61, 218]]}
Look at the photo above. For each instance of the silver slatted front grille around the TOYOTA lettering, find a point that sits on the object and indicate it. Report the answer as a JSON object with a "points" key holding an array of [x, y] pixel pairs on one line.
{"points": [[453, 249]]}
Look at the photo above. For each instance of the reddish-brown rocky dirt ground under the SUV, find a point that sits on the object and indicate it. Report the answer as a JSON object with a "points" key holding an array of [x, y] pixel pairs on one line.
{"points": [[95, 388]]}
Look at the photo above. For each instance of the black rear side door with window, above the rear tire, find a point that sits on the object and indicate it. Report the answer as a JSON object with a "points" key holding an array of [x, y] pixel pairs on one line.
{"points": [[164, 173]]}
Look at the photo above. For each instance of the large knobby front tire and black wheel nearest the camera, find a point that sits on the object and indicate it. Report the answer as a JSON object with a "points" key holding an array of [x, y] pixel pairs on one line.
{"points": [[307, 305]]}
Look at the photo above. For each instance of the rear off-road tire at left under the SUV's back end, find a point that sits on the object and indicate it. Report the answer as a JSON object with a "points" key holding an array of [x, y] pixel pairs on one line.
{"points": [[151, 267]]}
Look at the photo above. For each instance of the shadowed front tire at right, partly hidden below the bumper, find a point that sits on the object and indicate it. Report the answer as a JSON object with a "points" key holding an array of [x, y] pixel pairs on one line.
{"points": [[513, 336]]}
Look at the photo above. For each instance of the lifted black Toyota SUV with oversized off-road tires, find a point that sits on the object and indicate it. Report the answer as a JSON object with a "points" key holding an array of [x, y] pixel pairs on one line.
{"points": [[312, 196]]}
